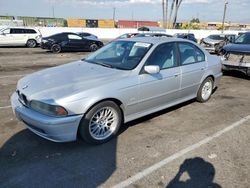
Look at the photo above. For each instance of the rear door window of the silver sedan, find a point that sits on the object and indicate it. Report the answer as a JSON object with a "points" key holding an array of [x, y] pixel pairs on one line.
{"points": [[190, 54]]}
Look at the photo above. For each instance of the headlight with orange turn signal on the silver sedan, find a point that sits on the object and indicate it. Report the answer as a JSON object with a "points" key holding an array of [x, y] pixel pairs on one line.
{"points": [[48, 109]]}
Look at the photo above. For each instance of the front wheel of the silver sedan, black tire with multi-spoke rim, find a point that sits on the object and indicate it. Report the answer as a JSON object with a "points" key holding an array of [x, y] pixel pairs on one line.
{"points": [[85, 127]]}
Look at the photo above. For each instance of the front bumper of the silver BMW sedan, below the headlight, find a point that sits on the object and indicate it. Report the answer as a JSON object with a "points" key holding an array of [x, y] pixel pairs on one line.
{"points": [[57, 129]]}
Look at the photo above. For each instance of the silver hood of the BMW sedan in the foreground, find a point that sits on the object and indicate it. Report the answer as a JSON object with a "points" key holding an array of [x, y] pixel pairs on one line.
{"points": [[55, 83]]}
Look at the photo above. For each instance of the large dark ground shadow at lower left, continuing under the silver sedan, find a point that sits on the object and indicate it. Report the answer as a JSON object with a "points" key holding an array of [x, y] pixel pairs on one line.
{"points": [[27, 160]]}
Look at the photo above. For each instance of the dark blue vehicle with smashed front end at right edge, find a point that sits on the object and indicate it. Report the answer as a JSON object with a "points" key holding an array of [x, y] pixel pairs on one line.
{"points": [[237, 55]]}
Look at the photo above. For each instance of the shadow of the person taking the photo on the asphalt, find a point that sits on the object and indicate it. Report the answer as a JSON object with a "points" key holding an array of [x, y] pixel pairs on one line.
{"points": [[194, 173]]}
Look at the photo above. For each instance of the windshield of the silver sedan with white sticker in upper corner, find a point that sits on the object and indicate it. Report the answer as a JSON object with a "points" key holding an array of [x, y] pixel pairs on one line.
{"points": [[124, 55]]}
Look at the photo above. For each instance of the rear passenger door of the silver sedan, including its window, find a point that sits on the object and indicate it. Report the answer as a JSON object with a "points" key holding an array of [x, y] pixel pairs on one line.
{"points": [[193, 65]]}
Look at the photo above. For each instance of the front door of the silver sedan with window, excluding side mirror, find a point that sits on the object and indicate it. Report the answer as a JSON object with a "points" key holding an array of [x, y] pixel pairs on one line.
{"points": [[161, 89]]}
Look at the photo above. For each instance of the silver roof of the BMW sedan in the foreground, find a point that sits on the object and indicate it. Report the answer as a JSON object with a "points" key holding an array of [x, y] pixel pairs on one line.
{"points": [[154, 40]]}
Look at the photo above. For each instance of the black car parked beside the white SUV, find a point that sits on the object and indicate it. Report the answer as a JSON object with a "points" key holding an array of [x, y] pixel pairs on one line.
{"points": [[69, 42]]}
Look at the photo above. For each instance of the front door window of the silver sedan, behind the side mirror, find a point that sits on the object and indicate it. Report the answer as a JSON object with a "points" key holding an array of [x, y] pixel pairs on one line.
{"points": [[164, 56]]}
